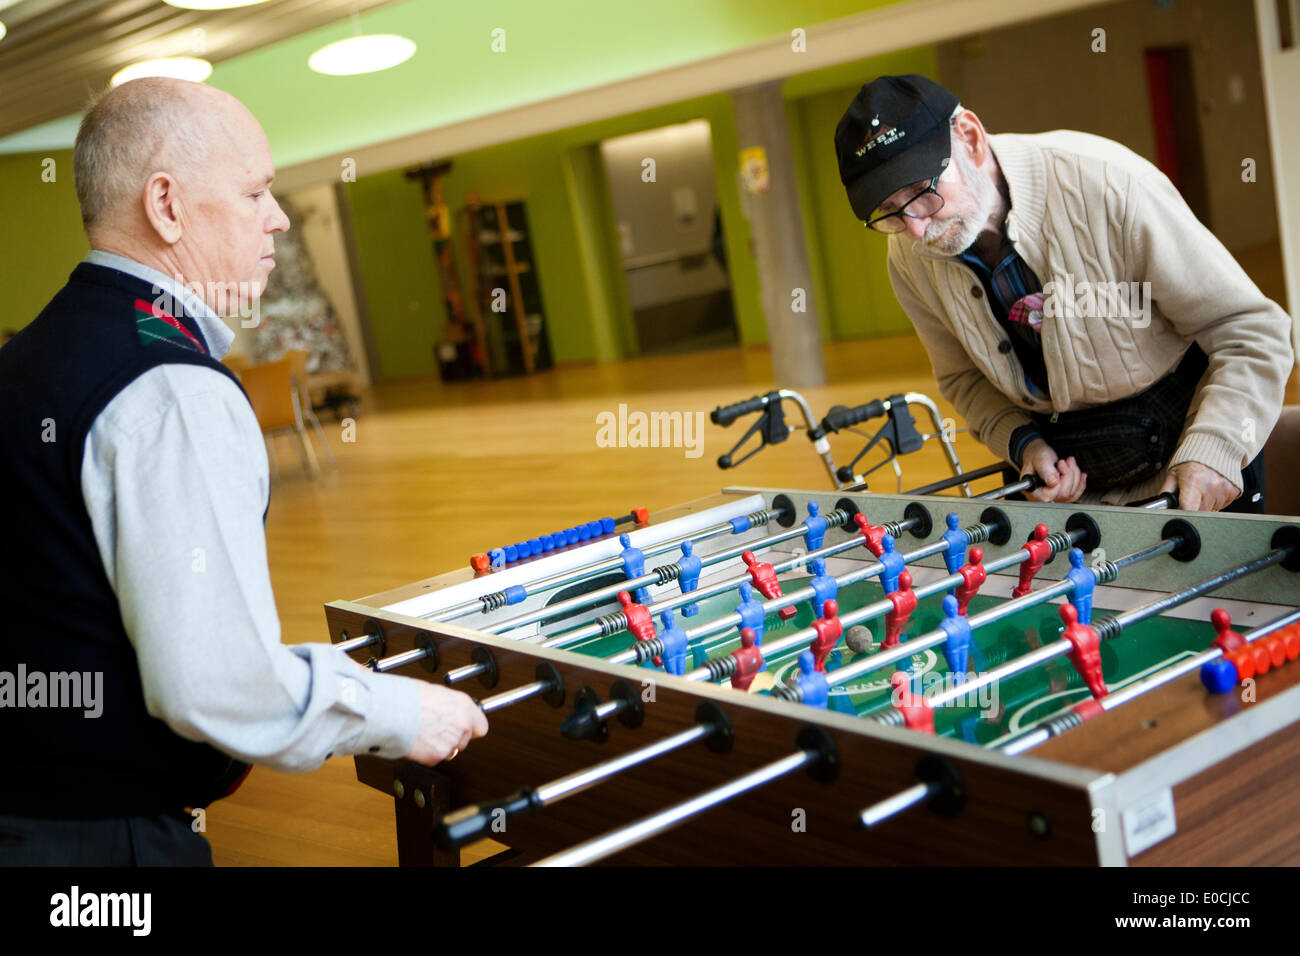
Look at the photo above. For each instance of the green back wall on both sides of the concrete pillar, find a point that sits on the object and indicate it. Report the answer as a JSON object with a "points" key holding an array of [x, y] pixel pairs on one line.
{"points": [[561, 178]]}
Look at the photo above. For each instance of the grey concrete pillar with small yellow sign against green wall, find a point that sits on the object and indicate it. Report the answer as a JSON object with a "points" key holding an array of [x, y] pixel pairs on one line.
{"points": [[778, 231]]}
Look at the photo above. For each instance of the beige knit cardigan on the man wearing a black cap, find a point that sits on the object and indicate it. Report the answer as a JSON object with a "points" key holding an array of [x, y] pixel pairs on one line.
{"points": [[1086, 210]]}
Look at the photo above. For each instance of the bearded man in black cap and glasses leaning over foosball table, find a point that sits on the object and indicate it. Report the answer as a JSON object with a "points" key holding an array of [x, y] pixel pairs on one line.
{"points": [[1089, 328]]}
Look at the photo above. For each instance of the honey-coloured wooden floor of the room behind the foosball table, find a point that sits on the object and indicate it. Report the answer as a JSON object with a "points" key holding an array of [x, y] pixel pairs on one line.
{"points": [[439, 473]]}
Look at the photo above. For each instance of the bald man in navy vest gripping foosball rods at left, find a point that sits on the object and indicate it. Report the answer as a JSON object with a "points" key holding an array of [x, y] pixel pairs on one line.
{"points": [[135, 477]]}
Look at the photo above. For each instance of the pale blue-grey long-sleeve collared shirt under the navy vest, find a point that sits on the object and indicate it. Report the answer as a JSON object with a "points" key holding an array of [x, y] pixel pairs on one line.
{"points": [[175, 478]]}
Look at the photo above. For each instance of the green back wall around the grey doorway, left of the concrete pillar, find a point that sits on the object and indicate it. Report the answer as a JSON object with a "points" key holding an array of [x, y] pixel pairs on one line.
{"points": [[570, 220]]}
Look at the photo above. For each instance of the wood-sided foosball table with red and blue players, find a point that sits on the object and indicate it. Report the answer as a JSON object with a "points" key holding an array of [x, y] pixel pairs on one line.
{"points": [[781, 677]]}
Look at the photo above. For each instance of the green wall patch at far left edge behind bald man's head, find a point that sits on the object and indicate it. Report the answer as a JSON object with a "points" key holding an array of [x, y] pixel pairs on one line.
{"points": [[42, 239]]}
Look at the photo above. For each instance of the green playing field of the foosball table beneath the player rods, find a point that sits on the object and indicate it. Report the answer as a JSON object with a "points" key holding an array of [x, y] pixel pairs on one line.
{"points": [[983, 715]]}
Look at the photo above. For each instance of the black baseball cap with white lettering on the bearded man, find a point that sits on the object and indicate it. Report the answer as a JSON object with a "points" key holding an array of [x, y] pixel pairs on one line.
{"points": [[894, 133]]}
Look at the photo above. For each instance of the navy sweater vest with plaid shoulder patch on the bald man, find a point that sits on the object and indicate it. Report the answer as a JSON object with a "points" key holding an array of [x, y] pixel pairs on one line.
{"points": [[97, 336]]}
